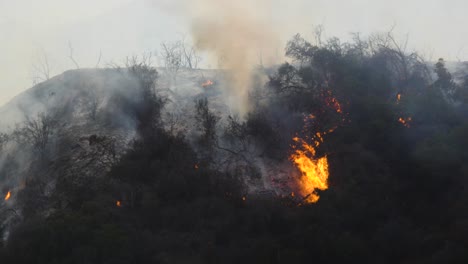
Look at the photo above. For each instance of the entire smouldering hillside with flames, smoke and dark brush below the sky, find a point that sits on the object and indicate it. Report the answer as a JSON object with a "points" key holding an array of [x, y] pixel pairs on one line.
{"points": [[345, 153]]}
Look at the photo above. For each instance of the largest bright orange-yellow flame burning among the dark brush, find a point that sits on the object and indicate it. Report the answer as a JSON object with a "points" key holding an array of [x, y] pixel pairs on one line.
{"points": [[314, 171]]}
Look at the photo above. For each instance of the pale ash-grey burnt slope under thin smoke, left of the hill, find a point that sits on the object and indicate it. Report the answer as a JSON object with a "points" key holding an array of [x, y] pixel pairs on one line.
{"points": [[59, 119]]}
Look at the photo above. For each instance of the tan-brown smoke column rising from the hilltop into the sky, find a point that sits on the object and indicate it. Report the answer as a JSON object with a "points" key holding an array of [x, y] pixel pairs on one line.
{"points": [[237, 34]]}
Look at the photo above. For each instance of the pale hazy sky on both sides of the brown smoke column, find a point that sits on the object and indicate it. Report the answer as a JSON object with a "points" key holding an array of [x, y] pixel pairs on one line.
{"points": [[31, 28]]}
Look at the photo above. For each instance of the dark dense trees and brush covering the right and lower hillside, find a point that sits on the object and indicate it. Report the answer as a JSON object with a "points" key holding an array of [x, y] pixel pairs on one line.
{"points": [[397, 159]]}
